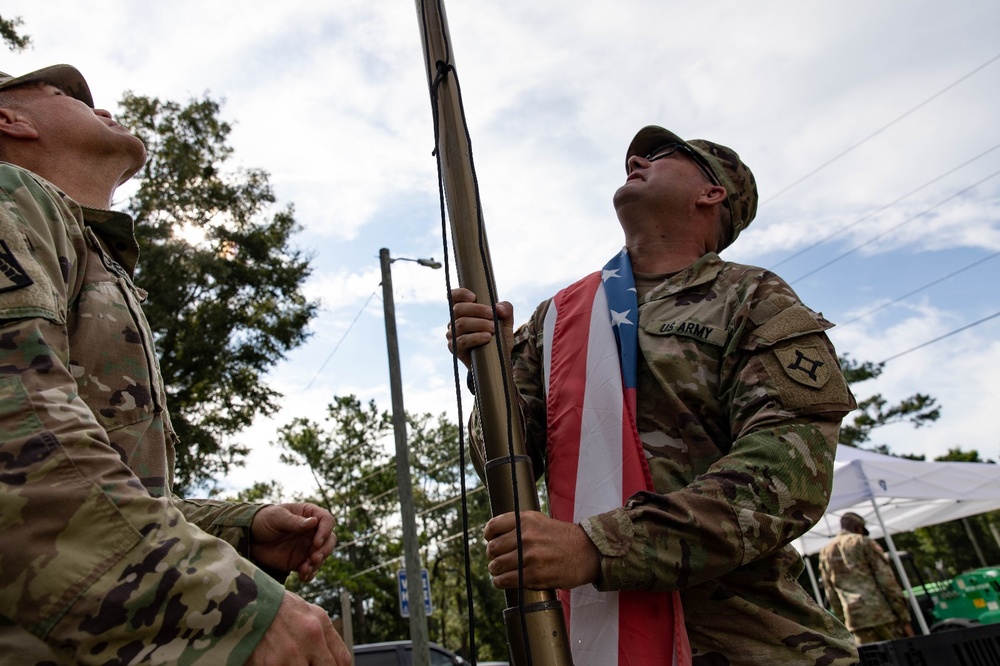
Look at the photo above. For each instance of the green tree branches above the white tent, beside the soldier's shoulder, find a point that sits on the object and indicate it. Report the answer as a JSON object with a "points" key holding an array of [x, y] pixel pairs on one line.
{"points": [[918, 409]]}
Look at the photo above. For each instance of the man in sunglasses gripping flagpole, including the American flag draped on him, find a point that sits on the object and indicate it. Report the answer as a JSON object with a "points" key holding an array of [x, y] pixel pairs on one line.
{"points": [[684, 411]]}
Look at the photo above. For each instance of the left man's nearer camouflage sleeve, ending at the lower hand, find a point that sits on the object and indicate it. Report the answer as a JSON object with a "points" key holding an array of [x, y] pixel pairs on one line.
{"points": [[90, 562]]}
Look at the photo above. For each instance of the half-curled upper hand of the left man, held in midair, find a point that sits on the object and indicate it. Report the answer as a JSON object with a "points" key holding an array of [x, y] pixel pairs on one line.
{"points": [[292, 537]]}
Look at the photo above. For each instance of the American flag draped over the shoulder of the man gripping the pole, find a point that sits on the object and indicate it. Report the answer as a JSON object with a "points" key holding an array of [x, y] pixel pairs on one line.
{"points": [[591, 334]]}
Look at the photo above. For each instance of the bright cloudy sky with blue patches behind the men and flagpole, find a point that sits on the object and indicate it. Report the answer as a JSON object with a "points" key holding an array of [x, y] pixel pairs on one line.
{"points": [[870, 127]]}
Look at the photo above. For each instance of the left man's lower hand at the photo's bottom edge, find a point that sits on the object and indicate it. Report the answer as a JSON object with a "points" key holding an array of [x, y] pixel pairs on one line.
{"points": [[300, 635]]}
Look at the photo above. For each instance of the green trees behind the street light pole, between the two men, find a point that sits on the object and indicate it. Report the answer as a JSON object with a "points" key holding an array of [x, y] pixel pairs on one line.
{"points": [[350, 456]]}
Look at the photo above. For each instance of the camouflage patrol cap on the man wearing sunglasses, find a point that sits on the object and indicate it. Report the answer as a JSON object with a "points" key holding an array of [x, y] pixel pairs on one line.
{"points": [[727, 167]]}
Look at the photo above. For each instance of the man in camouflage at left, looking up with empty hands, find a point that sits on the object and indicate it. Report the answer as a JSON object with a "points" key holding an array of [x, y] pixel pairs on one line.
{"points": [[99, 562]]}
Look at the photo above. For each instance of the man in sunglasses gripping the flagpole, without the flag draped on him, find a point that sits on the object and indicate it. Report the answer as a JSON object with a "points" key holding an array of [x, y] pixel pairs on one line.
{"points": [[740, 399]]}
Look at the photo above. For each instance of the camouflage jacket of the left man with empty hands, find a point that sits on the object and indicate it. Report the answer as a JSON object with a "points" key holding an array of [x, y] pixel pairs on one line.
{"points": [[98, 559]]}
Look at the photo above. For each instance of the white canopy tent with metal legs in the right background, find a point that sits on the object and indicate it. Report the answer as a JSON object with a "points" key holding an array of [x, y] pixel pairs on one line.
{"points": [[896, 495]]}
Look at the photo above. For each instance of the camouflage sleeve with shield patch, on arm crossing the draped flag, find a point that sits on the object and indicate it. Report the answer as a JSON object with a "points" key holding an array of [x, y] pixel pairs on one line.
{"points": [[771, 485]]}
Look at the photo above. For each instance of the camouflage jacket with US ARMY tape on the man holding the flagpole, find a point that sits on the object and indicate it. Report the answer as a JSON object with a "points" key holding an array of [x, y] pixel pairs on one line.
{"points": [[740, 398]]}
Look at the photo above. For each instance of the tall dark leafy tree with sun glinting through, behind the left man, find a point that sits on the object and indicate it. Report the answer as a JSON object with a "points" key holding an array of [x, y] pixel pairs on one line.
{"points": [[225, 301]]}
